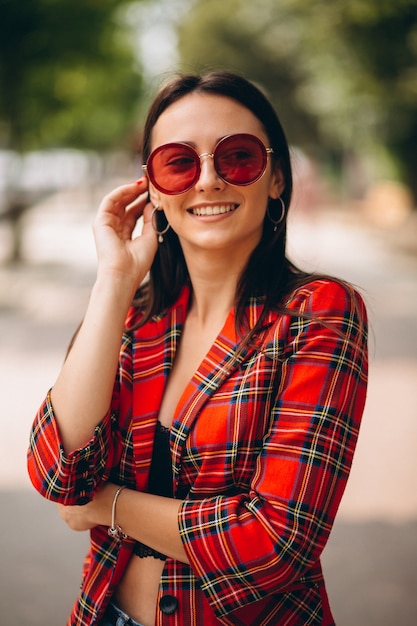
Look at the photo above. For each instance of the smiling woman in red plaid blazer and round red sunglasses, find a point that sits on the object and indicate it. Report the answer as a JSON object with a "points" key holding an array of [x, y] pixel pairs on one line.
{"points": [[205, 434]]}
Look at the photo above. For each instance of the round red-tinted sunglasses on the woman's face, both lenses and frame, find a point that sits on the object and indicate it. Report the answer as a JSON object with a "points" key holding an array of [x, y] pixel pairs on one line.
{"points": [[239, 159]]}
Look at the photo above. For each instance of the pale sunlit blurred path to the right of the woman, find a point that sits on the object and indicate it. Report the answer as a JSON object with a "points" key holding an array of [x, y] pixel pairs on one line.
{"points": [[385, 463]]}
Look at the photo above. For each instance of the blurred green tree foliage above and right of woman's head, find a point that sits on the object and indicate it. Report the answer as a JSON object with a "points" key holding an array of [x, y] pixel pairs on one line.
{"points": [[343, 75]]}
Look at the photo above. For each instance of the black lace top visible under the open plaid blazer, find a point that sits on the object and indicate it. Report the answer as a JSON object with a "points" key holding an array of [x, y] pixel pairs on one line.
{"points": [[160, 480]]}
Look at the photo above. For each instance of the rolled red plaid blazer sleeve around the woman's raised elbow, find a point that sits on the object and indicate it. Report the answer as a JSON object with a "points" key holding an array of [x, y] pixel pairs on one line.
{"points": [[73, 478]]}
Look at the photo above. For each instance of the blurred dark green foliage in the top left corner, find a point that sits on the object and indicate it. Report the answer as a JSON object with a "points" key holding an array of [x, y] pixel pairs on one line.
{"points": [[67, 74]]}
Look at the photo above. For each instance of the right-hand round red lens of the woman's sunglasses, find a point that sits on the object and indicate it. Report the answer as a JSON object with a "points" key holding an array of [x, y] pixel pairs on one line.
{"points": [[240, 159]]}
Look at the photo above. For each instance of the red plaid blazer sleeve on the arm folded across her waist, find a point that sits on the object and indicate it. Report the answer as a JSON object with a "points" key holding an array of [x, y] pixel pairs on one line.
{"points": [[266, 541]]}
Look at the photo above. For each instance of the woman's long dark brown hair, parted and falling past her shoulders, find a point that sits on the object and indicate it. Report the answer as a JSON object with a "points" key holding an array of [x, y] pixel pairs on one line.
{"points": [[268, 274]]}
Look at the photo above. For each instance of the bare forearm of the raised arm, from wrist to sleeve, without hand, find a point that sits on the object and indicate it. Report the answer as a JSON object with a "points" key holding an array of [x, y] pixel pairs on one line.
{"points": [[82, 393]]}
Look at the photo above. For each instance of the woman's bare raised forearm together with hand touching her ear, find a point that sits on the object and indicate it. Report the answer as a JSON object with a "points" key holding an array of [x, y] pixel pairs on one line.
{"points": [[82, 393]]}
